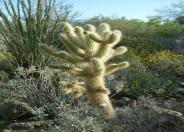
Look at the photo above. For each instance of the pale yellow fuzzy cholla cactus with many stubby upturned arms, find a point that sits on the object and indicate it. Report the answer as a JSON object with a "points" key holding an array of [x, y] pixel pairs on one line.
{"points": [[88, 50]]}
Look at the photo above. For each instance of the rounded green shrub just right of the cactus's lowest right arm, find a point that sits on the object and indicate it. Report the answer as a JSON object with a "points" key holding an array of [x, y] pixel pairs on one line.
{"points": [[139, 81]]}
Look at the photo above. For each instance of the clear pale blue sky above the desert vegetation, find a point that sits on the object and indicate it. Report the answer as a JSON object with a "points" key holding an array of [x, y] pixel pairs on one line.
{"points": [[138, 9]]}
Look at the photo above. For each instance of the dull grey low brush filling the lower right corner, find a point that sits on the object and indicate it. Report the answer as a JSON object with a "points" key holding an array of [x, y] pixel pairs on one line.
{"points": [[146, 116]]}
